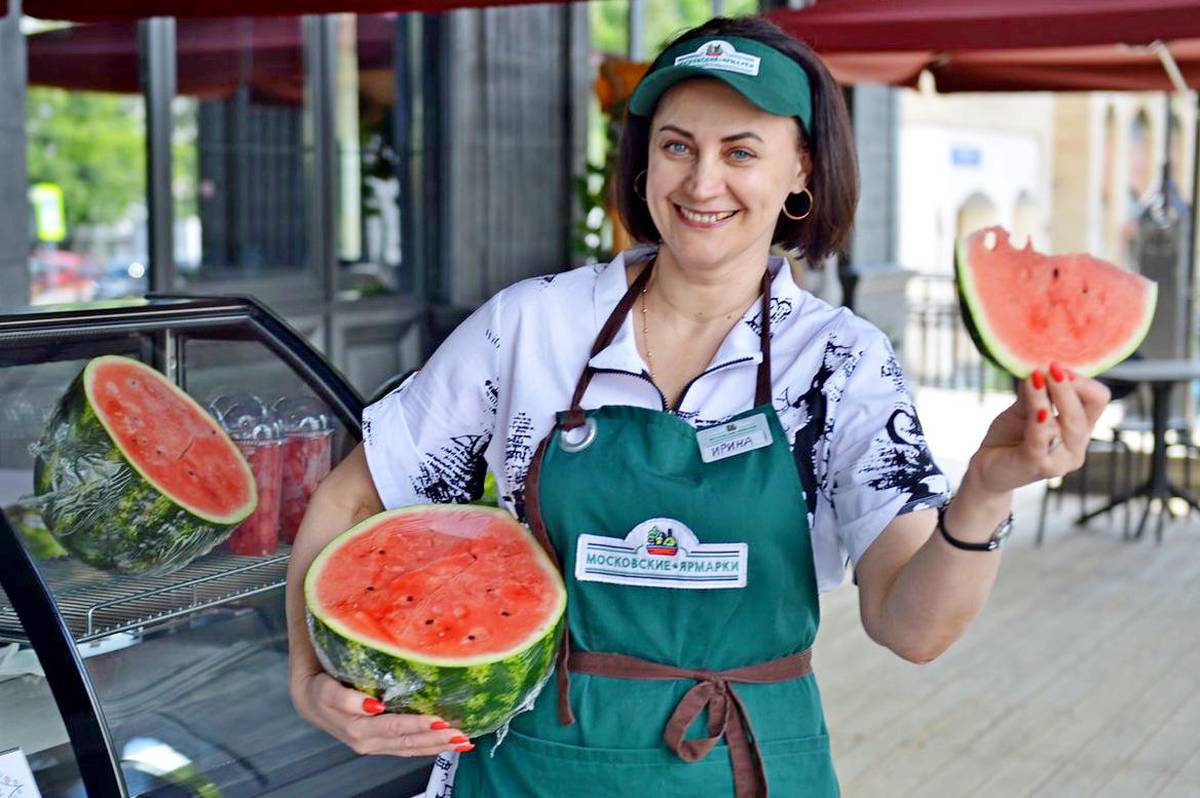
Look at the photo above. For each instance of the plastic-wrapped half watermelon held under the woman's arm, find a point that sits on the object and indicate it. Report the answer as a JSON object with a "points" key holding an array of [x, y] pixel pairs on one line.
{"points": [[445, 610]]}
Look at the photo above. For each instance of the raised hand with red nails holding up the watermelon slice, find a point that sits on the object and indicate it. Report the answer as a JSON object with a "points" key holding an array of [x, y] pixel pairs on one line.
{"points": [[1043, 434]]}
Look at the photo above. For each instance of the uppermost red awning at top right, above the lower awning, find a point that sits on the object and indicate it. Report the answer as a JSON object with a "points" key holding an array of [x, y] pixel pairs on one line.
{"points": [[916, 26]]}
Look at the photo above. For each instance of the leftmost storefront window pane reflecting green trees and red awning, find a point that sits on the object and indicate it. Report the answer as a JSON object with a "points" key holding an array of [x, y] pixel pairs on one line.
{"points": [[86, 133]]}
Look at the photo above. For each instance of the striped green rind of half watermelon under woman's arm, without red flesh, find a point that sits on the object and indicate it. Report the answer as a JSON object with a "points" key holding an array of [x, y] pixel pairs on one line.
{"points": [[478, 695]]}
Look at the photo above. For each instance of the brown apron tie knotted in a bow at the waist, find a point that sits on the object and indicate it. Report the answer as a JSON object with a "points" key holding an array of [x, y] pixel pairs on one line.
{"points": [[715, 689]]}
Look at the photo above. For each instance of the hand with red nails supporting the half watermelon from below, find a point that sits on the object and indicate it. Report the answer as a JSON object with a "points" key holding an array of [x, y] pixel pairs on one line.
{"points": [[359, 721]]}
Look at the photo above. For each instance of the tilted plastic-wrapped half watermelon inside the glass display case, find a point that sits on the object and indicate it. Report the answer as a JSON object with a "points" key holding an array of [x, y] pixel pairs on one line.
{"points": [[134, 476]]}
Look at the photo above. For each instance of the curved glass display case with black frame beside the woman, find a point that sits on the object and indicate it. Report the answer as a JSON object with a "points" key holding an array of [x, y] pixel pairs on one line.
{"points": [[124, 685]]}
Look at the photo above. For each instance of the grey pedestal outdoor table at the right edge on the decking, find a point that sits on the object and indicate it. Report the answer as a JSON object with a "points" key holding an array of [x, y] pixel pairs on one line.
{"points": [[1162, 376]]}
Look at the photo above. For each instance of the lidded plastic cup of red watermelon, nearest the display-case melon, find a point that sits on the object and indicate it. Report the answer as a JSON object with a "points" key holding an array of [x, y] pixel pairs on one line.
{"points": [[249, 423]]}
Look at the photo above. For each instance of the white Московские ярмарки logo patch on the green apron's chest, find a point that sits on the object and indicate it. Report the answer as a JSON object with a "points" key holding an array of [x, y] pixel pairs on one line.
{"points": [[663, 554]]}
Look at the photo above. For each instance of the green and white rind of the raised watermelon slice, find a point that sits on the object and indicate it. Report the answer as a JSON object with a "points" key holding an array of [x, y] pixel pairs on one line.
{"points": [[991, 344]]}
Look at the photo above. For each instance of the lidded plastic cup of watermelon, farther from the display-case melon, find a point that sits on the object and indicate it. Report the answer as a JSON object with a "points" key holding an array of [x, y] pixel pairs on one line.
{"points": [[308, 457]]}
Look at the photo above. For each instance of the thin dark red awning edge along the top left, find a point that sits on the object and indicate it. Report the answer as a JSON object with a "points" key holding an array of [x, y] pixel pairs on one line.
{"points": [[118, 10]]}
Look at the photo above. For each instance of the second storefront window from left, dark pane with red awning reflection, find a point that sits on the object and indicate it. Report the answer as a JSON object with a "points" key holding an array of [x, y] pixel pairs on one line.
{"points": [[239, 167]]}
